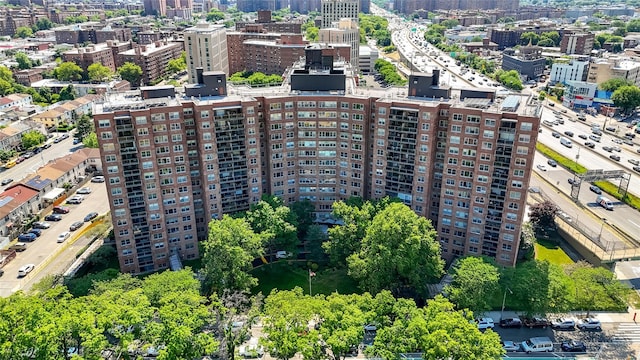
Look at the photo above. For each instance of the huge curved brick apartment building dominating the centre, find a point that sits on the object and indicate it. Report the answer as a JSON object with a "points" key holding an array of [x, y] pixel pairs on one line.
{"points": [[173, 163]]}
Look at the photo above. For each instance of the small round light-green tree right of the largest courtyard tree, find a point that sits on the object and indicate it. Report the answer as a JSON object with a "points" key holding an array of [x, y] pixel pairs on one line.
{"points": [[474, 280]]}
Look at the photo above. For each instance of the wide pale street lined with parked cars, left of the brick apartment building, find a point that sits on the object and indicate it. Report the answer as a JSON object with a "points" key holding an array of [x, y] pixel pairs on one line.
{"points": [[40, 249]]}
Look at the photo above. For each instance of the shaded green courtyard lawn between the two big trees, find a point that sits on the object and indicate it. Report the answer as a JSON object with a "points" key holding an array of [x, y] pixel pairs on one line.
{"points": [[286, 275]]}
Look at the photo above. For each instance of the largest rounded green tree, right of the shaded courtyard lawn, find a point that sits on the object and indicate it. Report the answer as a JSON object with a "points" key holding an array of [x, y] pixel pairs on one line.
{"points": [[399, 253]]}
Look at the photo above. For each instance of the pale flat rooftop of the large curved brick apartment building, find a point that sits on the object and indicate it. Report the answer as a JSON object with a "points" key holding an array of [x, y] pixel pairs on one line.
{"points": [[504, 102]]}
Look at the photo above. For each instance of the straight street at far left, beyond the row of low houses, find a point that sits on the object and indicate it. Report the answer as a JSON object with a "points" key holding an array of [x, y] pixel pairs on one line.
{"points": [[32, 164]]}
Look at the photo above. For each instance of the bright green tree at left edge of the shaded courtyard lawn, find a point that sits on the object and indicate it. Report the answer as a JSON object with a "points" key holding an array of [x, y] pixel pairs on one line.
{"points": [[228, 252]]}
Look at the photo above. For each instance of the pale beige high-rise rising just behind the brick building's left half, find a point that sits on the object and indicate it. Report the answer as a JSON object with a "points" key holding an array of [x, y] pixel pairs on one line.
{"points": [[206, 47]]}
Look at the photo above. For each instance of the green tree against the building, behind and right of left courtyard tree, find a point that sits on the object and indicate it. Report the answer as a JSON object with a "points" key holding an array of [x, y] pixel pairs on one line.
{"points": [[275, 222]]}
